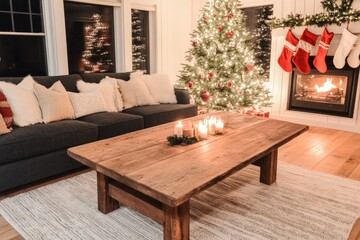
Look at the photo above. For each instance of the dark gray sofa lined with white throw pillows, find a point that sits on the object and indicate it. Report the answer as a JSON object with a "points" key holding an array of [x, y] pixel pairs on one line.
{"points": [[36, 152]]}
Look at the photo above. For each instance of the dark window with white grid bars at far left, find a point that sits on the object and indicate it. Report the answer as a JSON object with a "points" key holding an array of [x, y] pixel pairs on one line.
{"points": [[22, 38]]}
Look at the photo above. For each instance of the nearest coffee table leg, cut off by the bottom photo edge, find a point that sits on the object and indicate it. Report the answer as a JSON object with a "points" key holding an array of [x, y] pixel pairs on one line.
{"points": [[177, 222]]}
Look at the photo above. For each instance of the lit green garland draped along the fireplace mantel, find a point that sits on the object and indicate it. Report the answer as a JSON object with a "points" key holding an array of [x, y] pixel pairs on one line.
{"points": [[333, 14]]}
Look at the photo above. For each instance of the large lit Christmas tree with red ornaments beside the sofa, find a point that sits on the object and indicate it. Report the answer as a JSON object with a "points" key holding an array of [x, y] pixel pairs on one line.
{"points": [[220, 72]]}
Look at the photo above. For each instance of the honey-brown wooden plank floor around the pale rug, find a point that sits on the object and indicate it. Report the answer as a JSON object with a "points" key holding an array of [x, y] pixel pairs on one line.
{"points": [[326, 150]]}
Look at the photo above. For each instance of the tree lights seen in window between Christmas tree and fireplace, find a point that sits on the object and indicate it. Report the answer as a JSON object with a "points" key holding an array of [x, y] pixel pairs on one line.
{"points": [[262, 45]]}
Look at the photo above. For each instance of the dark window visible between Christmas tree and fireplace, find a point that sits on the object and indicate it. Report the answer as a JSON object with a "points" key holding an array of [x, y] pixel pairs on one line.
{"points": [[256, 22]]}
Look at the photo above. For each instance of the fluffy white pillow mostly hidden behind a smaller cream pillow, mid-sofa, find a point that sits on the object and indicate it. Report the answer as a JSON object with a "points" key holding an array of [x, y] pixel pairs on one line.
{"points": [[107, 91]]}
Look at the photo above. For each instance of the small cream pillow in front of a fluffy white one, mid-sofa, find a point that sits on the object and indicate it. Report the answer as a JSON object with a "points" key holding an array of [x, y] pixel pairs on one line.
{"points": [[87, 103]]}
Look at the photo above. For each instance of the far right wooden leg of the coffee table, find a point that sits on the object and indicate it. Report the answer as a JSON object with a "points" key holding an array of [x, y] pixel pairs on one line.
{"points": [[268, 167]]}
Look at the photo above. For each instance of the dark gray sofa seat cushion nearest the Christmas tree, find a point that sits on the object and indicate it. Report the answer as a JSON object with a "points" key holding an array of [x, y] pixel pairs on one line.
{"points": [[163, 113]]}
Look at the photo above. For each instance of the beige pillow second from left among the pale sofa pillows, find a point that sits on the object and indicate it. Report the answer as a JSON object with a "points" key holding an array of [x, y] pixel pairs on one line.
{"points": [[54, 105]]}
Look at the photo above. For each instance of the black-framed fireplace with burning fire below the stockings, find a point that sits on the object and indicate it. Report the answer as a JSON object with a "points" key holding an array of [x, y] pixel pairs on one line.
{"points": [[330, 93]]}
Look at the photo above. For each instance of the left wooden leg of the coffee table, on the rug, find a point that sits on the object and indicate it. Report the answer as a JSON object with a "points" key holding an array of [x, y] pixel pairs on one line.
{"points": [[106, 204]]}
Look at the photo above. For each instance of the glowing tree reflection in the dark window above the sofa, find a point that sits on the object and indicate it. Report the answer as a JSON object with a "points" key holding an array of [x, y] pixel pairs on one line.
{"points": [[96, 56]]}
